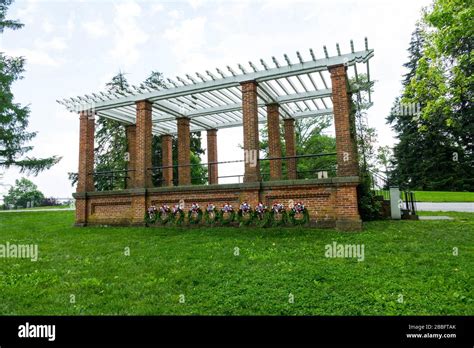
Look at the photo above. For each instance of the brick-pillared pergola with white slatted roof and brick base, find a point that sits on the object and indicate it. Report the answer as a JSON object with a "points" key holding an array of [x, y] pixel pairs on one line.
{"points": [[276, 95]]}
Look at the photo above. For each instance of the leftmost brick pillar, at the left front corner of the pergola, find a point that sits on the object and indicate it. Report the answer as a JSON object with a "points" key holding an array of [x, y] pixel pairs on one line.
{"points": [[85, 180]]}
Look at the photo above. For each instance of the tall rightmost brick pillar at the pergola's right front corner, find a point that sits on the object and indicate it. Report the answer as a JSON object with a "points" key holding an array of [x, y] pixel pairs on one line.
{"points": [[347, 162]]}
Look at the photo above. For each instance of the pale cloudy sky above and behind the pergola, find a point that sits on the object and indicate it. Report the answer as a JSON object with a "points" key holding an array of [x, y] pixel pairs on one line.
{"points": [[75, 47]]}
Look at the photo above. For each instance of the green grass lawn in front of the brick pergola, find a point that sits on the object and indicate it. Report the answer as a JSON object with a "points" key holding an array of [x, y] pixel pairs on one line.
{"points": [[409, 258]]}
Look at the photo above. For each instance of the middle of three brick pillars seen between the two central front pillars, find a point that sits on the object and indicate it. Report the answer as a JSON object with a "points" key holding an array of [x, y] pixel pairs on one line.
{"points": [[184, 151]]}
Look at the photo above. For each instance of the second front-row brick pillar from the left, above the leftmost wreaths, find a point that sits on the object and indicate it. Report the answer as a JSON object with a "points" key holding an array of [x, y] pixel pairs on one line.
{"points": [[143, 145]]}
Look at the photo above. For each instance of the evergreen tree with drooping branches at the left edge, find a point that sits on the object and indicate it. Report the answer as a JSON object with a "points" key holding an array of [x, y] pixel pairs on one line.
{"points": [[13, 116]]}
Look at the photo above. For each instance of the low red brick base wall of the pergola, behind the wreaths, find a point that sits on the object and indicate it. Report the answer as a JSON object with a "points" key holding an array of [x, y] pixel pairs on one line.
{"points": [[331, 202]]}
